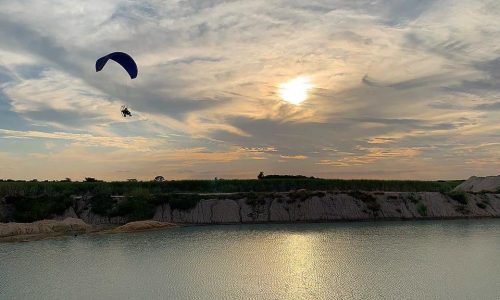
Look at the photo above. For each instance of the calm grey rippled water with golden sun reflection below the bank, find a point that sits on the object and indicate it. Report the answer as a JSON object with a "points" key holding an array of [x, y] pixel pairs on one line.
{"points": [[387, 260]]}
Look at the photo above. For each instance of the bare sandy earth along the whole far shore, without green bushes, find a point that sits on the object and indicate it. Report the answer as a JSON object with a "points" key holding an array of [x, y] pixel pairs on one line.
{"points": [[294, 206]]}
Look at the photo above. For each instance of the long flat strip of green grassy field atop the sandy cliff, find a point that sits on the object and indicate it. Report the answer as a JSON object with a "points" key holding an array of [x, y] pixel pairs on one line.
{"points": [[222, 186]]}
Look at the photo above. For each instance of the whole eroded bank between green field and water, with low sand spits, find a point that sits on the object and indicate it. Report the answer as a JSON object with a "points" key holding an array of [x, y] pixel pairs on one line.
{"points": [[286, 207]]}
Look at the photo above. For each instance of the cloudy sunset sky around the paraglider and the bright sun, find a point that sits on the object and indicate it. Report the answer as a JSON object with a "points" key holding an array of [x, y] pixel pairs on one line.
{"points": [[399, 89]]}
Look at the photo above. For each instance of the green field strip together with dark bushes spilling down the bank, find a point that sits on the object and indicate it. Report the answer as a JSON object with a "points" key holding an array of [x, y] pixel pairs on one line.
{"points": [[36, 200]]}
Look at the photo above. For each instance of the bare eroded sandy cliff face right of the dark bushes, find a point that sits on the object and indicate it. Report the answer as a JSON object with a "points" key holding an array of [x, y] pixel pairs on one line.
{"points": [[323, 206]]}
